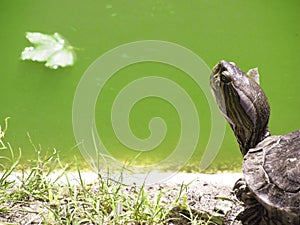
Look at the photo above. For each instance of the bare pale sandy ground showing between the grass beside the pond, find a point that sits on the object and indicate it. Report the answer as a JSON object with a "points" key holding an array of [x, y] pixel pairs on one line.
{"points": [[210, 193]]}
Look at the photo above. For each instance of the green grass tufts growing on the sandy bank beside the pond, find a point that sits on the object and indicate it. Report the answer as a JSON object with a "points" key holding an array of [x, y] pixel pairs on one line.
{"points": [[33, 196]]}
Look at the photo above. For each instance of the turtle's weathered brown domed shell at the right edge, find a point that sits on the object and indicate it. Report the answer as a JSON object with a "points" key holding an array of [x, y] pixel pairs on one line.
{"points": [[272, 173]]}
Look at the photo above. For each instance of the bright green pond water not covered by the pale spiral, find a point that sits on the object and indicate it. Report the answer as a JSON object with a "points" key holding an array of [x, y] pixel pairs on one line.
{"points": [[263, 34]]}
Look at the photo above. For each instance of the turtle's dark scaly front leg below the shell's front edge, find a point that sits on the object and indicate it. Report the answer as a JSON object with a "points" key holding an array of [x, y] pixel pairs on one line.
{"points": [[253, 210]]}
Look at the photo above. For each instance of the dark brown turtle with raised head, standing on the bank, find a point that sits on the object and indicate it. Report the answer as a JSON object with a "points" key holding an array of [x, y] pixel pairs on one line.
{"points": [[270, 187]]}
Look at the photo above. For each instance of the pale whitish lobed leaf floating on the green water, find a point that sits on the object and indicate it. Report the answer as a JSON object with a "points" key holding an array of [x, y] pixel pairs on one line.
{"points": [[54, 49]]}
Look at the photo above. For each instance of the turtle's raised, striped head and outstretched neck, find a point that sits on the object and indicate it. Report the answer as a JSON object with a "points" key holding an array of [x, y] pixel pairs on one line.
{"points": [[242, 102]]}
